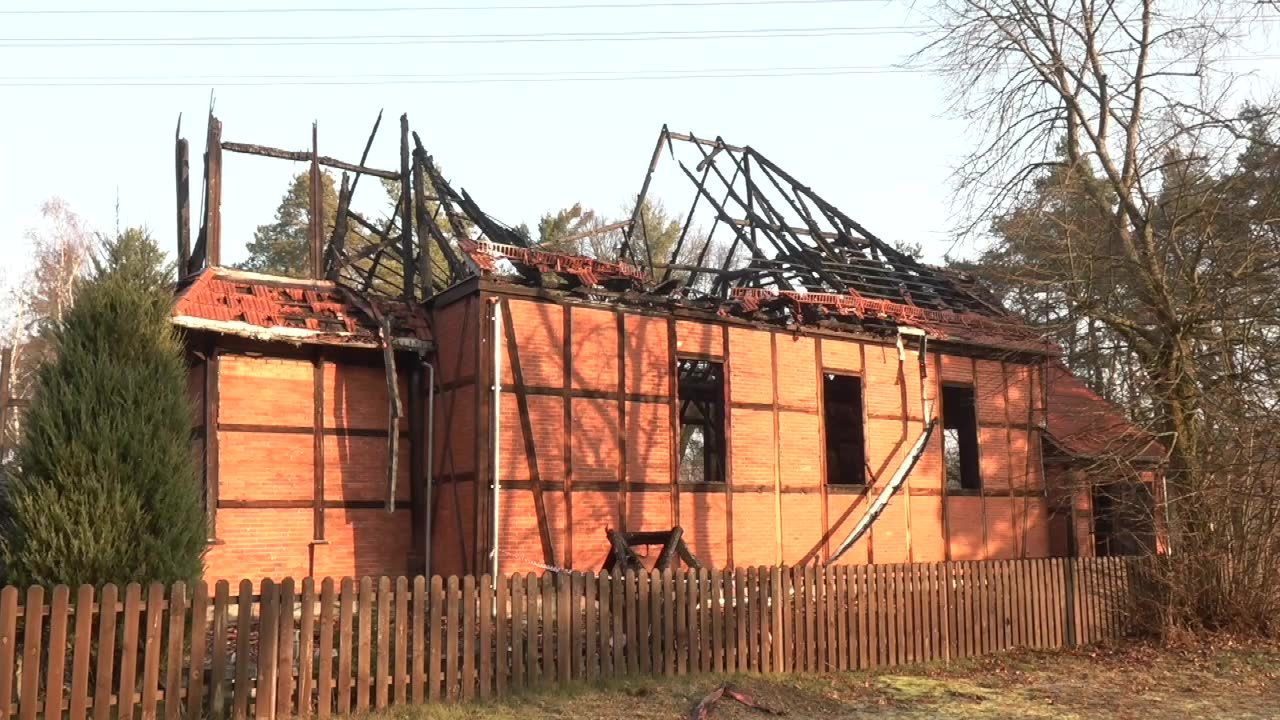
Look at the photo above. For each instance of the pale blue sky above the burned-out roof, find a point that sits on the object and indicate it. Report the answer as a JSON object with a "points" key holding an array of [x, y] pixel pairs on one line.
{"points": [[879, 144]]}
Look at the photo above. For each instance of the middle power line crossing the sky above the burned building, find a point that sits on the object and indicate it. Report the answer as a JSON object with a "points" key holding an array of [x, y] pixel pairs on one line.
{"points": [[621, 37]]}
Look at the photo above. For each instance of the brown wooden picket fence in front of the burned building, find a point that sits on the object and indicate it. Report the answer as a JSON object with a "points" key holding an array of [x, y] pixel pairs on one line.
{"points": [[331, 649]]}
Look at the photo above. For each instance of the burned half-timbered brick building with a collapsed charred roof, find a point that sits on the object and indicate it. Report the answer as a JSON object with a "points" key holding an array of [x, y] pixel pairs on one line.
{"points": [[454, 399]]}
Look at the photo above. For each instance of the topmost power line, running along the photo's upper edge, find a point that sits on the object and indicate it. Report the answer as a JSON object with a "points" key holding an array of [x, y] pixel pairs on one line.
{"points": [[417, 8]]}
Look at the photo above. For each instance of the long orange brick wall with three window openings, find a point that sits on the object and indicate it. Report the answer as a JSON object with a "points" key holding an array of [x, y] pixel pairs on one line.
{"points": [[748, 522]]}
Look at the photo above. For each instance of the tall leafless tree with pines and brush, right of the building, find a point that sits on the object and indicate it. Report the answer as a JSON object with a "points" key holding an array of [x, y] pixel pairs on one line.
{"points": [[1135, 204]]}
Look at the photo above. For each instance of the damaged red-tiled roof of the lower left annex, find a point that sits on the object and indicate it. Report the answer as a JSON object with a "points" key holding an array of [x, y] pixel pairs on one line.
{"points": [[291, 311]]}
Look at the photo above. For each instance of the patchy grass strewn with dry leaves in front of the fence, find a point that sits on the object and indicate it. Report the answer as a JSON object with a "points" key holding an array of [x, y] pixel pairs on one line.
{"points": [[1220, 680]]}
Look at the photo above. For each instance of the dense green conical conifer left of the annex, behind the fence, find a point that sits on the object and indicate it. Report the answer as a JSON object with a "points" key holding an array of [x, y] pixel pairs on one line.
{"points": [[107, 486]]}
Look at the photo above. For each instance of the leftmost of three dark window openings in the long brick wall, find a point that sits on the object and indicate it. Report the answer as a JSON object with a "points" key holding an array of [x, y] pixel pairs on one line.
{"points": [[701, 393]]}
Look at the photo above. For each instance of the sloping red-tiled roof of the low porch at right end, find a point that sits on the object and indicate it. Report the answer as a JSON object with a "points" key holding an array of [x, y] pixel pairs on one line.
{"points": [[1084, 425]]}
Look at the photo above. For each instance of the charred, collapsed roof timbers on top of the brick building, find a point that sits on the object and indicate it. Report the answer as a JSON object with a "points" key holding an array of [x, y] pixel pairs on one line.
{"points": [[755, 243]]}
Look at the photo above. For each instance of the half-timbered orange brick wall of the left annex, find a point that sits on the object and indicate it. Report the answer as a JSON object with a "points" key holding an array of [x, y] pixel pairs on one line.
{"points": [[298, 464]]}
